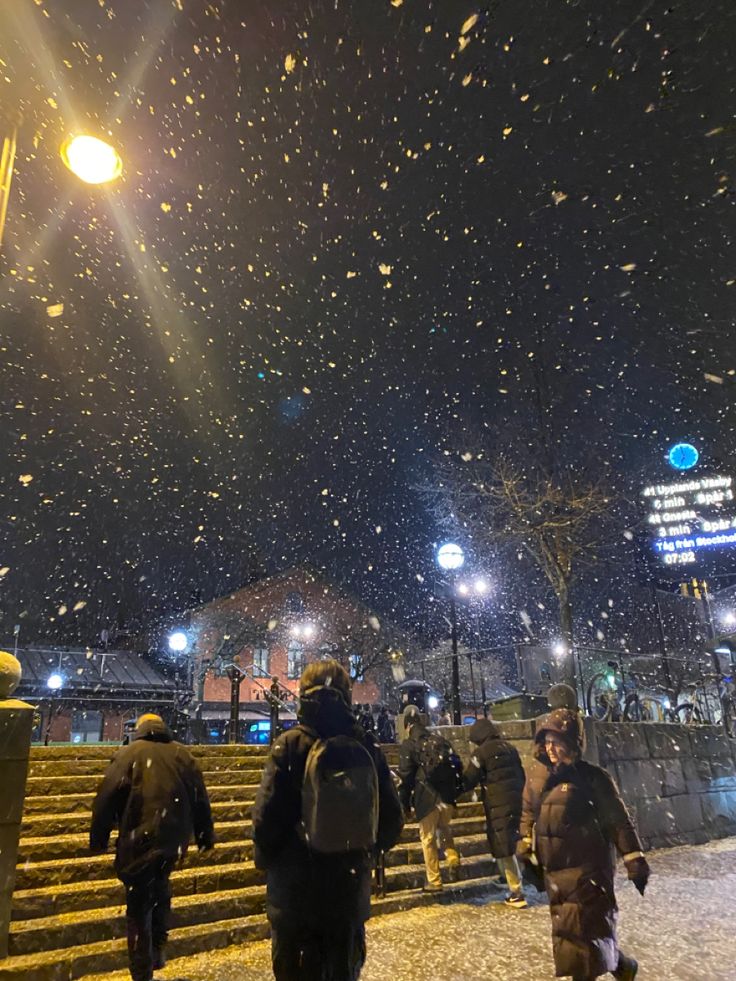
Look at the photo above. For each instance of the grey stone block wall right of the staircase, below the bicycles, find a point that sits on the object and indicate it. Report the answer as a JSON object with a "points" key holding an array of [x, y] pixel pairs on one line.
{"points": [[679, 782]]}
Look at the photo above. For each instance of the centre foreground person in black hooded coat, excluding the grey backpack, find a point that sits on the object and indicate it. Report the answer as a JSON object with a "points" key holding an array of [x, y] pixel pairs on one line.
{"points": [[317, 903]]}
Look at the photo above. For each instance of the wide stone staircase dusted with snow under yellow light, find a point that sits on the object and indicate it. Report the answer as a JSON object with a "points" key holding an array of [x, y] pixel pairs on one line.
{"points": [[68, 908]]}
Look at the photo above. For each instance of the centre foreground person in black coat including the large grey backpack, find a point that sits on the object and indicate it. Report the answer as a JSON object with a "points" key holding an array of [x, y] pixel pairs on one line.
{"points": [[325, 808]]}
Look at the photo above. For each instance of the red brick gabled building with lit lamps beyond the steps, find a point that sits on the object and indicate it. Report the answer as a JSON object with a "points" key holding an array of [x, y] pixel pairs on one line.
{"points": [[273, 628]]}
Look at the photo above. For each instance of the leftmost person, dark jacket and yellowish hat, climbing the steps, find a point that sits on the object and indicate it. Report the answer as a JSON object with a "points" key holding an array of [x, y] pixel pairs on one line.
{"points": [[154, 792]]}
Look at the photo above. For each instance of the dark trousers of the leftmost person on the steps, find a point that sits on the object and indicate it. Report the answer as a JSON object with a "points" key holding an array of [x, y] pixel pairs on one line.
{"points": [[148, 897]]}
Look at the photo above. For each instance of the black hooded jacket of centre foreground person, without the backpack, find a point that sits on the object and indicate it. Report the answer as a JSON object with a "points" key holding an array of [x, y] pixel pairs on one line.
{"points": [[303, 886]]}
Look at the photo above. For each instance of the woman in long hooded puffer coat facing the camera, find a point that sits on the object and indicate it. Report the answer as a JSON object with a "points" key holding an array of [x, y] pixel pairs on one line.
{"points": [[580, 819]]}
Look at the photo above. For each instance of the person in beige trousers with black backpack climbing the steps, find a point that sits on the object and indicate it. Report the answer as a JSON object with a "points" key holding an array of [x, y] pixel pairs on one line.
{"points": [[431, 781]]}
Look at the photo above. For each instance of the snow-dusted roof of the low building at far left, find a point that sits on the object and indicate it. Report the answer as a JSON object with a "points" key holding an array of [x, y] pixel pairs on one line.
{"points": [[88, 671]]}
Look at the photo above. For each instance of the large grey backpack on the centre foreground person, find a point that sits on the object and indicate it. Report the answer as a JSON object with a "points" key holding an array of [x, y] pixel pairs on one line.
{"points": [[339, 797]]}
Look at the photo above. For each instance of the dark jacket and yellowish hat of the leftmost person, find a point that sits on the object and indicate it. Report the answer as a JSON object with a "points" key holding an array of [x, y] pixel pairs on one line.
{"points": [[154, 792]]}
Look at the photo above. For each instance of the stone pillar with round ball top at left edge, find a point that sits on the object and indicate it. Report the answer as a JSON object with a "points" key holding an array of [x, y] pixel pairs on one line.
{"points": [[16, 724]]}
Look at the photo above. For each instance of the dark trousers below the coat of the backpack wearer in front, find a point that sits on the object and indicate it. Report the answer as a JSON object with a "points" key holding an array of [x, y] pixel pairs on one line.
{"points": [[335, 952]]}
